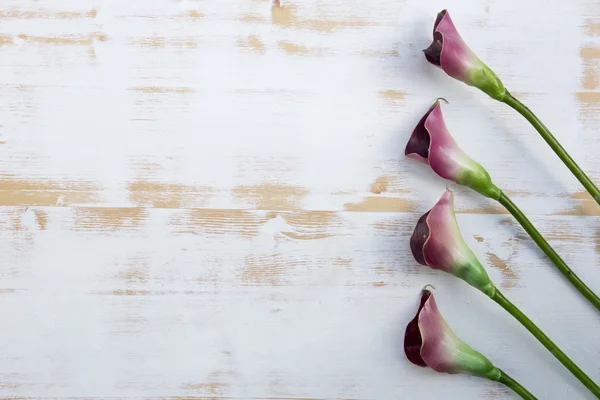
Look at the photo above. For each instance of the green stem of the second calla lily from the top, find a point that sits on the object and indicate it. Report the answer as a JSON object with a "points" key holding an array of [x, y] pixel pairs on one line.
{"points": [[548, 250]]}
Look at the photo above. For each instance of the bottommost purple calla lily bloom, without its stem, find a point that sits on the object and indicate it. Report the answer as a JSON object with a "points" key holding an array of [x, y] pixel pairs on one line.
{"points": [[429, 342]]}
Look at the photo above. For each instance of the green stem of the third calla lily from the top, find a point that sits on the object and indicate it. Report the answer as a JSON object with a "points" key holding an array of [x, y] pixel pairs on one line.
{"points": [[499, 298]]}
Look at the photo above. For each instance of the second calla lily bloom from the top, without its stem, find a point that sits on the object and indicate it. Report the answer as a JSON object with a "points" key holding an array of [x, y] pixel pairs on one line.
{"points": [[431, 143]]}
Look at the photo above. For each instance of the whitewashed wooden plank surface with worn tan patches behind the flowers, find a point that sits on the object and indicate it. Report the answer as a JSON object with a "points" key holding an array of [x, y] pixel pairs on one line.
{"points": [[209, 199]]}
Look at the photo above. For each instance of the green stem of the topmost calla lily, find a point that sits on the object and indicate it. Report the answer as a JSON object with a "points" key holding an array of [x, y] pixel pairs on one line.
{"points": [[554, 144]]}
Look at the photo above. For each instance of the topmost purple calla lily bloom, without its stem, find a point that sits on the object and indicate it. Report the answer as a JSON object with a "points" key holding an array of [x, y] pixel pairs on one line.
{"points": [[450, 52]]}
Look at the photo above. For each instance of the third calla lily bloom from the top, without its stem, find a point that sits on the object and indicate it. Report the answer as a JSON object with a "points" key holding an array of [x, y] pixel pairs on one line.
{"points": [[437, 243]]}
